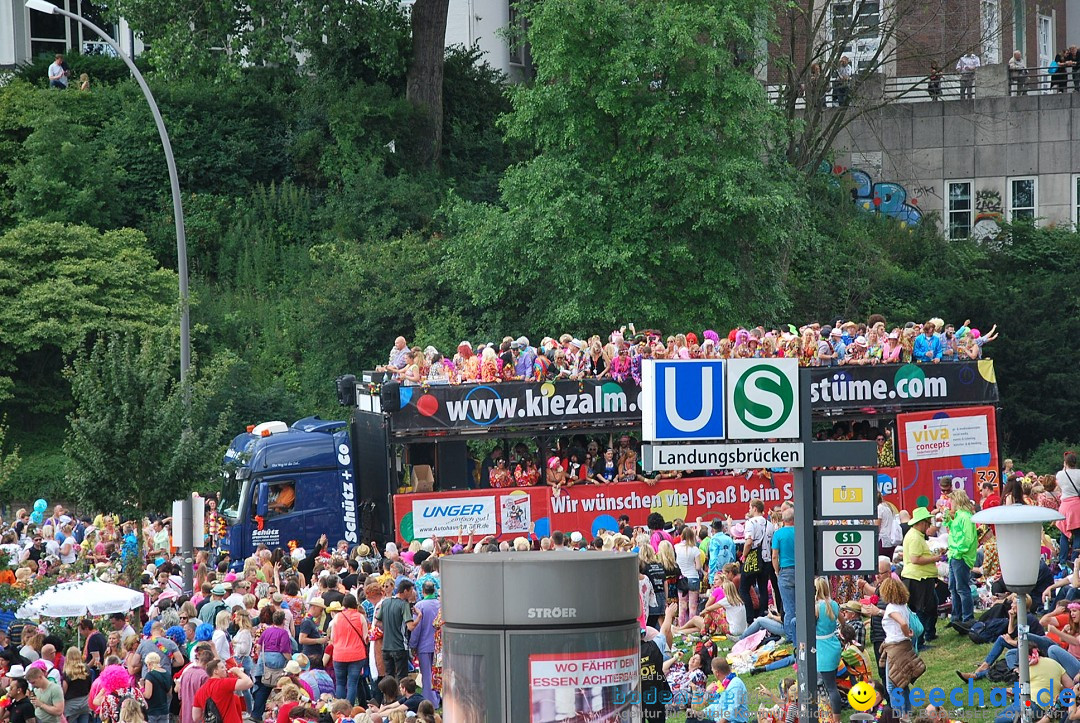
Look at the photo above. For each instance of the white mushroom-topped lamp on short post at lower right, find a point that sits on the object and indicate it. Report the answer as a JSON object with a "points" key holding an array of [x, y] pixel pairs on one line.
{"points": [[1019, 530]]}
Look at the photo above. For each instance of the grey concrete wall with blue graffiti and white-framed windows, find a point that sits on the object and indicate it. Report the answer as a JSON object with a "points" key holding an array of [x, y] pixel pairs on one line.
{"points": [[975, 164]]}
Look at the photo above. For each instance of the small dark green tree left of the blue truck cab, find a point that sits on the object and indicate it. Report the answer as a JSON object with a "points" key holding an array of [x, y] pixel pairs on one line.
{"points": [[134, 444]]}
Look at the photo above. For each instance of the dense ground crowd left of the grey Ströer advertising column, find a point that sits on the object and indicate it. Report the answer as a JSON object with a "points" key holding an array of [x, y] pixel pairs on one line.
{"points": [[327, 635]]}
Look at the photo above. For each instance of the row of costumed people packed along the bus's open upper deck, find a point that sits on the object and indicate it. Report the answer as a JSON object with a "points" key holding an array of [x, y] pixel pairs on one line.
{"points": [[619, 357]]}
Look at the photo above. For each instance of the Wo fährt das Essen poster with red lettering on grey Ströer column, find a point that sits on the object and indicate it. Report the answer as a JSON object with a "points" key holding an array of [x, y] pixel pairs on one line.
{"points": [[588, 687]]}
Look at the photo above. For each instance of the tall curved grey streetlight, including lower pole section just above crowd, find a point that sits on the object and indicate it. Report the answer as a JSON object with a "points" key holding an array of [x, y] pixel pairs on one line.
{"points": [[182, 243]]}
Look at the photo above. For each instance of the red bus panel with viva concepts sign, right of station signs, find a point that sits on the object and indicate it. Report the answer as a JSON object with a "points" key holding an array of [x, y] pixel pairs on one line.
{"points": [[961, 444]]}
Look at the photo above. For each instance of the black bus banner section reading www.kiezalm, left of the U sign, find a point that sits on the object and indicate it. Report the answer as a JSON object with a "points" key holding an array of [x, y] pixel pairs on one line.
{"points": [[517, 405]]}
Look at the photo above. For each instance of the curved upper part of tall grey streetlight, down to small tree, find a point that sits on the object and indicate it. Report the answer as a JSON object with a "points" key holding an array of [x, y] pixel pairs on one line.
{"points": [[182, 242]]}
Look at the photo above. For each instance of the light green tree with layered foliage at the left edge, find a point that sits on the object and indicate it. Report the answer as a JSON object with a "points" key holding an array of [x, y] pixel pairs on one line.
{"points": [[61, 285]]}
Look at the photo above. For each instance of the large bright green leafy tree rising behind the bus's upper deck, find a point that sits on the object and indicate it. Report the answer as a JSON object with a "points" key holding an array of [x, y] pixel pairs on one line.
{"points": [[651, 196]]}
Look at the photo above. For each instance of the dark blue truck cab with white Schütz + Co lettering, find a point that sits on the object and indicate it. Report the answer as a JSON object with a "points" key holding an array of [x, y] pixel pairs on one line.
{"points": [[286, 484]]}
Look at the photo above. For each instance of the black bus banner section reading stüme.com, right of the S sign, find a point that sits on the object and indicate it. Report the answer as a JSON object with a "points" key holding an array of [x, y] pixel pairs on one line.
{"points": [[904, 386]]}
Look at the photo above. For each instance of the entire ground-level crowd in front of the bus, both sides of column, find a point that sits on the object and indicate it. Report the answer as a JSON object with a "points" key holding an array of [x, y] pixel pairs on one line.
{"points": [[355, 633]]}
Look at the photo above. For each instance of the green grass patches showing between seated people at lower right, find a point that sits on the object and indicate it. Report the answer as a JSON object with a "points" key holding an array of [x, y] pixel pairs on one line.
{"points": [[950, 653]]}
